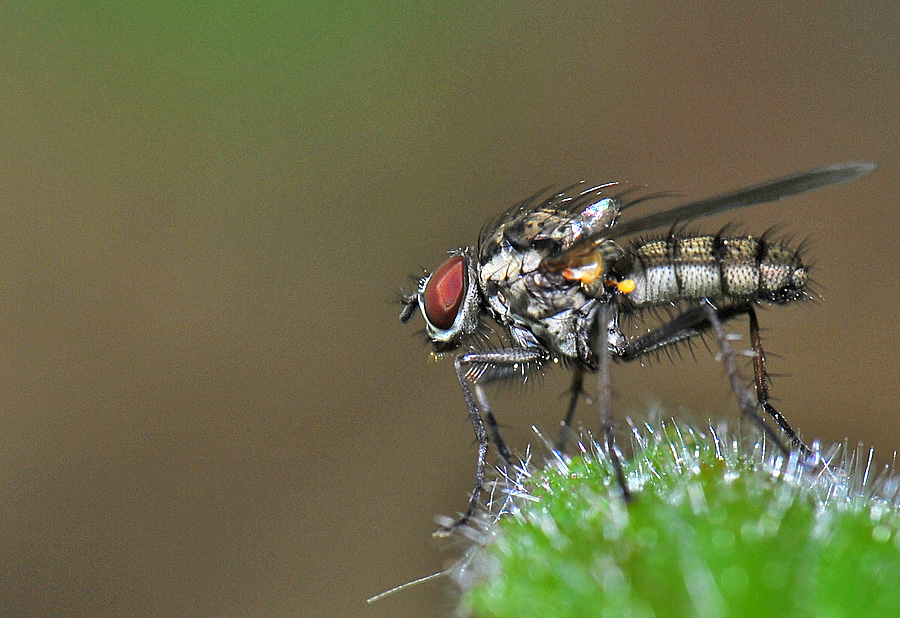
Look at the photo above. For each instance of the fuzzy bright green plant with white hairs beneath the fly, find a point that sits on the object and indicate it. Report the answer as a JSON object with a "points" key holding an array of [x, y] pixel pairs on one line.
{"points": [[717, 527]]}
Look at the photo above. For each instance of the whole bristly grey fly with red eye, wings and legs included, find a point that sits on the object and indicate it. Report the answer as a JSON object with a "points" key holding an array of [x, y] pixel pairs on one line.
{"points": [[553, 273]]}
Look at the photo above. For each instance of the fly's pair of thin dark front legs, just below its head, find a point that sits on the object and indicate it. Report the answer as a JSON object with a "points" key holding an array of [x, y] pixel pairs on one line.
{"points": [[477, 368]]}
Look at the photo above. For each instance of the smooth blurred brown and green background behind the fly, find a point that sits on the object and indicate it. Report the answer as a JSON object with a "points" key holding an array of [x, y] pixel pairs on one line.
{"points": [[206, 210]]}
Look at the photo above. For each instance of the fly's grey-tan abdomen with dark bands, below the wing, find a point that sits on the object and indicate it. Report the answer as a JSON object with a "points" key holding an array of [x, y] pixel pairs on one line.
{"points": [[694, 267]]}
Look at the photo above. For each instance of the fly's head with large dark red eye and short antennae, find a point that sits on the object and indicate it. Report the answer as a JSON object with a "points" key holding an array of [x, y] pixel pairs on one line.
{"points": [[449, 301]]}
